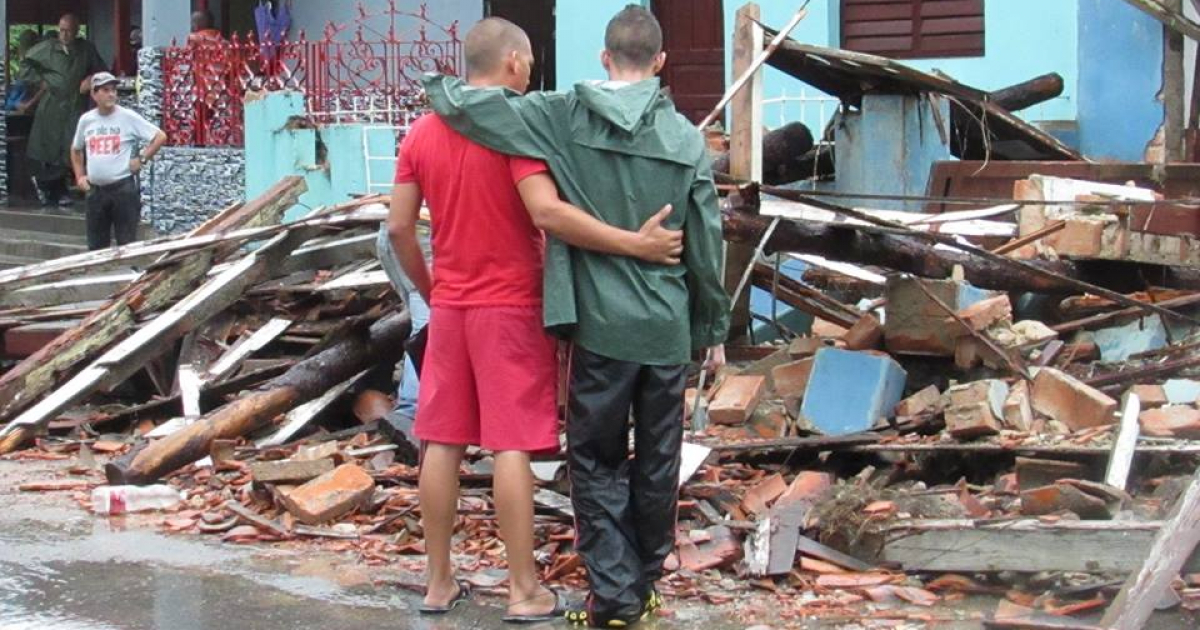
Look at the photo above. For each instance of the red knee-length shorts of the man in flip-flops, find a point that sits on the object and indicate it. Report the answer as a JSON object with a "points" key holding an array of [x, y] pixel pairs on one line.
{"points": [[489, 379]]}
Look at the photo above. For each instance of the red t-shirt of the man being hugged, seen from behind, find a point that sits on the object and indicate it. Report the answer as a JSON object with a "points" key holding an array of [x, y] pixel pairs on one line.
{"points": [[487, 250]]}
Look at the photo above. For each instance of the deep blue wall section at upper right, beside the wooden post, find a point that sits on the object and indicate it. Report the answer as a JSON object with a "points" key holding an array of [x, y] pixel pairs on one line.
{"points": [[1120, 77]]}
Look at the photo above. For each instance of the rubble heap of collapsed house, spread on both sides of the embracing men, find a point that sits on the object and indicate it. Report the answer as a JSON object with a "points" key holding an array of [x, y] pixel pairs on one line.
{"points": [[994, 395]]}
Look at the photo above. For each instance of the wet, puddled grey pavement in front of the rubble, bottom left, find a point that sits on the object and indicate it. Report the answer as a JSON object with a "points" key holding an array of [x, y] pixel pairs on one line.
{"points": [[65, 569]]}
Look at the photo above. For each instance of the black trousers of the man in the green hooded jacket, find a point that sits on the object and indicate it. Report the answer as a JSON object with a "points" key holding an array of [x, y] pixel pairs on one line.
{"points": [[625, 508]]}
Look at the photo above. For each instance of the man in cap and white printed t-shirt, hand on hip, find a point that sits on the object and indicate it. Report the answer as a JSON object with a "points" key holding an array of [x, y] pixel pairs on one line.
{"points": [[106, 137]]}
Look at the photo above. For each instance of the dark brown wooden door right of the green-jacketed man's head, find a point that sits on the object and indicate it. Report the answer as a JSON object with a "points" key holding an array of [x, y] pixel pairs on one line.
{"points": [[694, 39]]}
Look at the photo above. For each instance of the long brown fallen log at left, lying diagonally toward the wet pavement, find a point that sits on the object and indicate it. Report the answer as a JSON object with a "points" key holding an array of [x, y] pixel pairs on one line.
{"points": [[304, 382]]}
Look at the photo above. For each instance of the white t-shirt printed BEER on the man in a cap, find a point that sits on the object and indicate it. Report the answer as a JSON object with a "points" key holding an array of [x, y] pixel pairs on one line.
{"points": [[109, 142]]}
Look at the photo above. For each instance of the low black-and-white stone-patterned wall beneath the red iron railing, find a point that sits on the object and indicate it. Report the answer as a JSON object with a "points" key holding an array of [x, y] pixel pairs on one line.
{"points": [[187, 185]]}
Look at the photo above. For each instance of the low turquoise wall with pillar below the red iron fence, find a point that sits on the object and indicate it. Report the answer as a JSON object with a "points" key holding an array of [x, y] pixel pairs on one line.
{"points": [[350, 154]]}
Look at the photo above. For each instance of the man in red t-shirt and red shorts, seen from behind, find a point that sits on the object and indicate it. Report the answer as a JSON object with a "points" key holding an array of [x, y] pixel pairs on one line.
{"points": [[490, 369]]}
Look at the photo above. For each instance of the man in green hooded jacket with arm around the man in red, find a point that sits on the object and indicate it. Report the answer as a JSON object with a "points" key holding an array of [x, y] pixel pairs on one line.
{"points": [[620, 151]]}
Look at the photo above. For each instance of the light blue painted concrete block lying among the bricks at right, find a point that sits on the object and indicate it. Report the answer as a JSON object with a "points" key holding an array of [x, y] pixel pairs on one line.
{"points": [[850, 392]]}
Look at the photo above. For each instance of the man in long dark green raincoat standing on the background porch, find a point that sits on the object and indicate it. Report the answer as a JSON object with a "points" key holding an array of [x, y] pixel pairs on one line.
{"points": [[59, 65]]}
